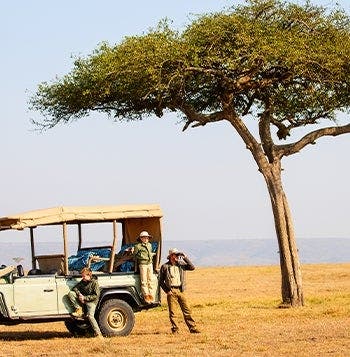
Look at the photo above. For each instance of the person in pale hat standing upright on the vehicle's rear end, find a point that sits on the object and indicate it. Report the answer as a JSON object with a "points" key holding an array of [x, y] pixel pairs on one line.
{"points": [[143, 256]]}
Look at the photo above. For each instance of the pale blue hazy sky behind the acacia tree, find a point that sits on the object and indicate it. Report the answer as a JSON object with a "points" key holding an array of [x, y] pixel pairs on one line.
{"points": [[204, 179]]}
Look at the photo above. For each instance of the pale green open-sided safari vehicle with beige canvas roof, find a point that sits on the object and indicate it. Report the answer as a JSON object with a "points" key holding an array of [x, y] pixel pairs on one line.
{"points": [[39, 294]]}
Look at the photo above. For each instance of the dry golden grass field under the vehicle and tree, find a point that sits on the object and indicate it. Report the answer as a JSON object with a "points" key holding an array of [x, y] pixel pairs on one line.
{"points": [[236, 309]]}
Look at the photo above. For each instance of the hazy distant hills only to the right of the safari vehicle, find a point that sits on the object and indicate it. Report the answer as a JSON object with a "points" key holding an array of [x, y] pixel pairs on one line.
{"points": [[260, 251]]}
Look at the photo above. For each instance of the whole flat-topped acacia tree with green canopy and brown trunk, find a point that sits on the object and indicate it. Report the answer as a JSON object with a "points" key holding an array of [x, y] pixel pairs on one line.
{"points": [[280, 65]]}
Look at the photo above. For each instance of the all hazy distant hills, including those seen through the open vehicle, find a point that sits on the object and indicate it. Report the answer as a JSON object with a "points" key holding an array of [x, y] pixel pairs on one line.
{"points": [[221, 252]]}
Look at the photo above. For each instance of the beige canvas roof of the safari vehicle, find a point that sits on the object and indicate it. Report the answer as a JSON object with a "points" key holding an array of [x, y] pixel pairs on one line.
{"points": [[78, 214]]}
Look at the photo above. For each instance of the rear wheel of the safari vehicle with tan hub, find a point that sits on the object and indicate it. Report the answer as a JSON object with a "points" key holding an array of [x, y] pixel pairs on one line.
{"points": [[116, 318]]}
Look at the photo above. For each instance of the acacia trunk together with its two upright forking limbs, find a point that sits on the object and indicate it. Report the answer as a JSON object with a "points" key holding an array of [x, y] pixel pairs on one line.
{"points": [[269, 163]]}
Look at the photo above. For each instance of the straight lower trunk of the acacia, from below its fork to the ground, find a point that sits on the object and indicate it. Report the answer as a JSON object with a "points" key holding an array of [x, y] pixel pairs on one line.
{"points": [[292, 290]]}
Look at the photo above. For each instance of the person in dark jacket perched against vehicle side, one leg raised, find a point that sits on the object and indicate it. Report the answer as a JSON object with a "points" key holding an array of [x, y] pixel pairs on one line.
{"points": [[86, 294]]}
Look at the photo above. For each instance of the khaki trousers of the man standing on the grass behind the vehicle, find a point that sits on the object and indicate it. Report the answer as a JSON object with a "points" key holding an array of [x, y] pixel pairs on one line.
{"points": [[177, 297]]}
